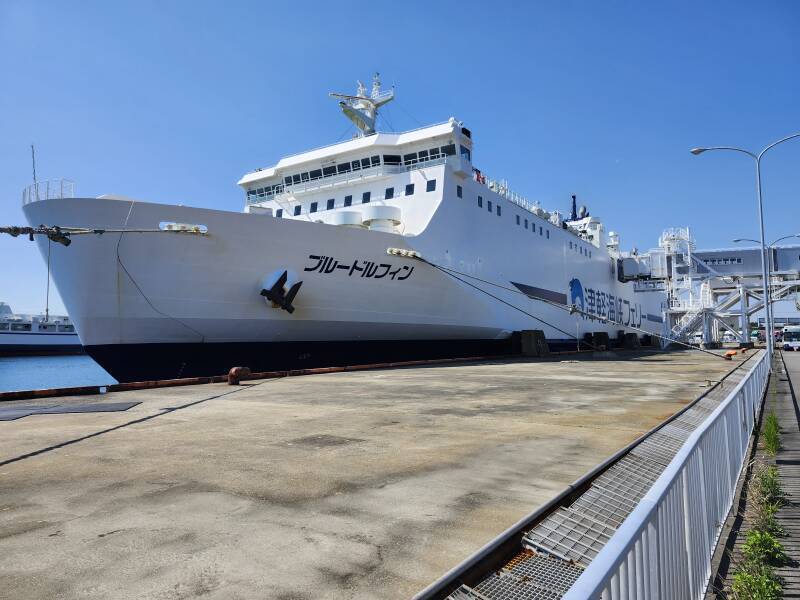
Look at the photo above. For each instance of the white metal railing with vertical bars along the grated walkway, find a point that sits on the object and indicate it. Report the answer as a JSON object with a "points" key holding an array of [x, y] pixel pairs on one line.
{"points": [[664, 548]]}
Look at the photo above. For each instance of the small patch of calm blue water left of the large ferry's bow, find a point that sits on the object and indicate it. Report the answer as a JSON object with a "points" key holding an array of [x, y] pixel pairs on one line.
{"points": [[38, 372]]}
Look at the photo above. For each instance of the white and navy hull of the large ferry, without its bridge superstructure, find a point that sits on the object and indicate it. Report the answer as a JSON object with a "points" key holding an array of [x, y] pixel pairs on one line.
{"points": [[165, 305]]}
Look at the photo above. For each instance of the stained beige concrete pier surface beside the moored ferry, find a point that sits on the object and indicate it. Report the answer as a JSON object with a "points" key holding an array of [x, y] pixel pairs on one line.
{"points": [[366, 484]]}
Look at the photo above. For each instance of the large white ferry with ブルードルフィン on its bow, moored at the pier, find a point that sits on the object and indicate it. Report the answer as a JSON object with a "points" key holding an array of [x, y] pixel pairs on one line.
{"points": [[321, 267]]}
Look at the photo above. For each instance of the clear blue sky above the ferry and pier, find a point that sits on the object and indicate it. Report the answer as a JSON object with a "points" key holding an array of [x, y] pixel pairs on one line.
{"points": [[173, 101]]}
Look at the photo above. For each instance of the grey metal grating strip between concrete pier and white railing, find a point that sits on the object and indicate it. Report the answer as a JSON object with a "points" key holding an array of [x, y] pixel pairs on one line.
{"points": [[558, 548]]}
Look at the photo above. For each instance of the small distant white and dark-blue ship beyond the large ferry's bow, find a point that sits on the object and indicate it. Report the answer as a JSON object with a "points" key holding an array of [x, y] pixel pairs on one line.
{"points": [[36, 334]]}
